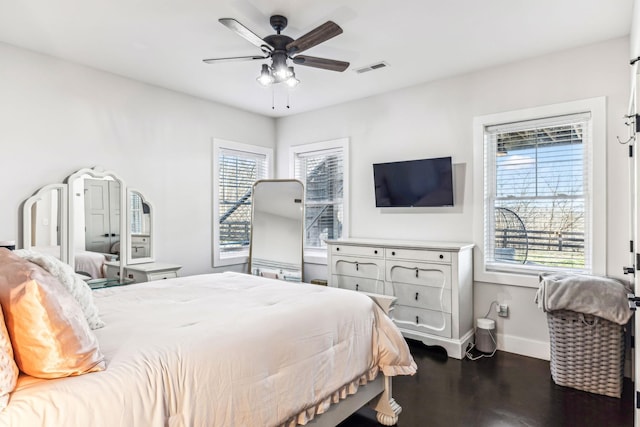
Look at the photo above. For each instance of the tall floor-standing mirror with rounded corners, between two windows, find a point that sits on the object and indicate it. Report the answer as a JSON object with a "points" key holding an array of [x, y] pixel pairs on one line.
{"points": [[277, 226]]}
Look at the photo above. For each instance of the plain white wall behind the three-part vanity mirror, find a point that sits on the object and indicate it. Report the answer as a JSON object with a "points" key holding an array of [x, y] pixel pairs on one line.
{"points": [[57, 117]]}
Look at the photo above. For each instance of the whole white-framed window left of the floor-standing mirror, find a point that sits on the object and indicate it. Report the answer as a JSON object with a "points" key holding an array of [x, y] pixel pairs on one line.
{"points": [[235, 169]]}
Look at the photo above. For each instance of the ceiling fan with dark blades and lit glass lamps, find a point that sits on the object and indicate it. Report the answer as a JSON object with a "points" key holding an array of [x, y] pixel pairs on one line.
{"points": [[281, 48]]}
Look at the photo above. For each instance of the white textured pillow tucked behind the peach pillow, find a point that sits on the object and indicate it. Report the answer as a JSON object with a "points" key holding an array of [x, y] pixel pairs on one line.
{"points": [[77, 287]]}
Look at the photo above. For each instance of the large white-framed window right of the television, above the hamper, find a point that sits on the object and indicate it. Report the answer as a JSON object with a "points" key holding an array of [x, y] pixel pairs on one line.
{"points": [[538, 190]]}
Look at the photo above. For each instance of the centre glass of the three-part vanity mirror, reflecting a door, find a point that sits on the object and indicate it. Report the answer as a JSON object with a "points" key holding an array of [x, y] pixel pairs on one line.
{"points": [[102, 215]]}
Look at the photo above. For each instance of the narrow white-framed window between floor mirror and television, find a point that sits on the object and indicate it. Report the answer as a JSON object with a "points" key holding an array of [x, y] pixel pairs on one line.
{"points": [[322, 167]]}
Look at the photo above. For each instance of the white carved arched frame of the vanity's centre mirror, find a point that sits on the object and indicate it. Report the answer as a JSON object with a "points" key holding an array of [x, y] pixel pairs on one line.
{"points": [[99, 173]]}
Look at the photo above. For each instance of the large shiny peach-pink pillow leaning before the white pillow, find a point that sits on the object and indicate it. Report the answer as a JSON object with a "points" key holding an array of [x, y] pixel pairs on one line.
{"points": [[49, 332]]}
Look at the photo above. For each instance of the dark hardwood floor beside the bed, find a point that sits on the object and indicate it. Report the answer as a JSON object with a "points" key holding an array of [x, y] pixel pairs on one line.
{"points": [[505, 390]]}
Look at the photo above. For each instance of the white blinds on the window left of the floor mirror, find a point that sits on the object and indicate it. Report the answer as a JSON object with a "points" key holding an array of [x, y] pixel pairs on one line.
{"points": [[237, 172]]}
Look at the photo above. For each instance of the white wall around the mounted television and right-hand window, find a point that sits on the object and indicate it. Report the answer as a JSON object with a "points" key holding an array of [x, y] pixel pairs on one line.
{"points": [[435, 119]]}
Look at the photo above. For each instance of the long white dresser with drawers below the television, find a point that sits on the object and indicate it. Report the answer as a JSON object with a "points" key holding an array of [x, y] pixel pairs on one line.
{"points": [[432, 282]]}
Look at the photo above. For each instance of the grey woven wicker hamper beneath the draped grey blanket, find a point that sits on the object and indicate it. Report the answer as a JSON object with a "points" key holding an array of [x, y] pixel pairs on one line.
{"points": [[587, 352]]}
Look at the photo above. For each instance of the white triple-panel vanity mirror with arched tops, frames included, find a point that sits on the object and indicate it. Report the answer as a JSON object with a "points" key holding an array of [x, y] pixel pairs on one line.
{"points": [[81, 221]]}
